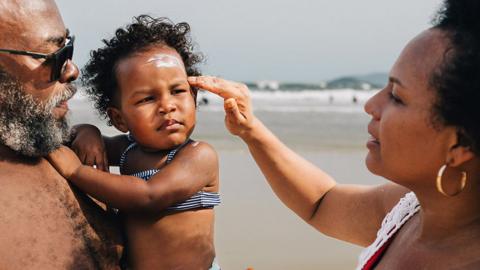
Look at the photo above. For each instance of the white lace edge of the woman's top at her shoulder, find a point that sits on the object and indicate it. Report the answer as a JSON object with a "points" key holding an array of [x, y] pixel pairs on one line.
{"points": [[393, 221]]}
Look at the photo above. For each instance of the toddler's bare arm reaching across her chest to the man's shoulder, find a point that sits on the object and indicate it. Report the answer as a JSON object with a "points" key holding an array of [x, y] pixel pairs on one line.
{"points": [[194, 168]]}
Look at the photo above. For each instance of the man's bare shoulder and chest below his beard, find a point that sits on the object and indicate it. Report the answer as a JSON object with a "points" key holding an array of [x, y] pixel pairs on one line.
{"points": [[49, 224]]}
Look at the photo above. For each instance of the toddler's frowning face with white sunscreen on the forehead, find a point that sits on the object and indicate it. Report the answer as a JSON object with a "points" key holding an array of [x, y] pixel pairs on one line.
{"points": [[156, 101]]}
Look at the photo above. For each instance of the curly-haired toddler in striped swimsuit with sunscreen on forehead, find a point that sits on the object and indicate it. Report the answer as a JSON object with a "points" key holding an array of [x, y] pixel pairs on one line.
{"points": [[169, 183]]}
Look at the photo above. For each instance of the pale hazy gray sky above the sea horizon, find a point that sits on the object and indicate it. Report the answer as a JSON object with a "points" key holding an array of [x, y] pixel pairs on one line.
{"points": [[248, 40]]}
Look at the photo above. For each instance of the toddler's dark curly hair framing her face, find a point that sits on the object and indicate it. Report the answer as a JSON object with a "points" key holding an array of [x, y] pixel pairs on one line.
{"points": [[99, 76]]}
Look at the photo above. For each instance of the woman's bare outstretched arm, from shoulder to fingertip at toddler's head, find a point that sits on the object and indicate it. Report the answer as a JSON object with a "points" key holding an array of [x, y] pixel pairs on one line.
{"points": [[347, 212]]}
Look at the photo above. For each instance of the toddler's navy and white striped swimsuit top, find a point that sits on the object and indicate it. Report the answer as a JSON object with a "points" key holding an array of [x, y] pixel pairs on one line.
{"points": [[201, 199]]}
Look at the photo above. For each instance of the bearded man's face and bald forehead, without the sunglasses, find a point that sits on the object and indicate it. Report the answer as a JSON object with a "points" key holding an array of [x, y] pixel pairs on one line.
{"points": [[32, 107]]}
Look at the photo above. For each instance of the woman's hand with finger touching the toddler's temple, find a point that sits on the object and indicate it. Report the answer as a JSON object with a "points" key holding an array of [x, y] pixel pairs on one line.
{"points": [[239, 118]]}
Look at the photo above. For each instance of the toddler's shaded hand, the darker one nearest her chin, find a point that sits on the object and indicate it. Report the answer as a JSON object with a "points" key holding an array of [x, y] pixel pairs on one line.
{"points": [[89, 146]]}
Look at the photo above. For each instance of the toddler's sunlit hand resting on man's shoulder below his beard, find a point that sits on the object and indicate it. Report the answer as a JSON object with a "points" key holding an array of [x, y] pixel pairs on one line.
{"points": [[65, 161]]}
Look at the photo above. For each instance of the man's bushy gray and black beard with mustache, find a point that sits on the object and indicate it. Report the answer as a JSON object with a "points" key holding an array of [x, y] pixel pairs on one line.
{"points": [[28, 126]]}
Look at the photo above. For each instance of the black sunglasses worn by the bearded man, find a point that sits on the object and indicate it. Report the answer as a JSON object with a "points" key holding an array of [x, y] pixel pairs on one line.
{"points": [[57, 59]]}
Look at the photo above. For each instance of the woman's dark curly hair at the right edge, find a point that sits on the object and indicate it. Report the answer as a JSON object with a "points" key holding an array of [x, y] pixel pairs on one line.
{"points": [[457, 79]]}
